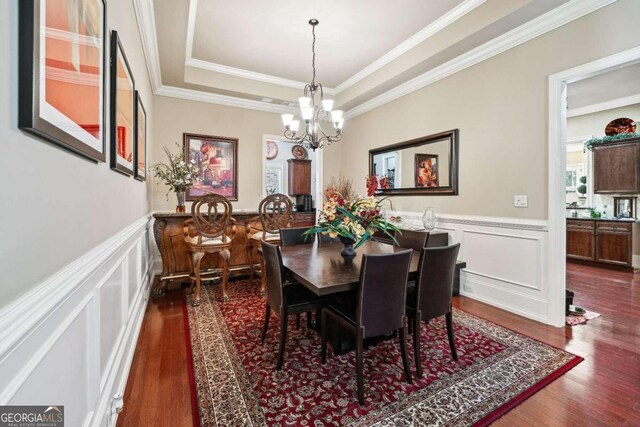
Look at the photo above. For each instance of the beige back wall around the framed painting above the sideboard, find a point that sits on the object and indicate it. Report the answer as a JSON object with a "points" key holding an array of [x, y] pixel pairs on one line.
{"points": [[174, 116]]}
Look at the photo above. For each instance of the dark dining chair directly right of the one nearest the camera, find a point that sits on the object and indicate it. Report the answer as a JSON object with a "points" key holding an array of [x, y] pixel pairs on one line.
{"points": [[432, 294]]}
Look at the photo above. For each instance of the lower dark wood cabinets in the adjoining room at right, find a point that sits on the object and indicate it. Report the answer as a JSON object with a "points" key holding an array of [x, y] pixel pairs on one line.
{"points": [[608, 242]]}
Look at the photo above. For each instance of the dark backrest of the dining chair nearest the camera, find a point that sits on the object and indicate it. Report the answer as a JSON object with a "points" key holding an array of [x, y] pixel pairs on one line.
{"points": [[382, 292]]}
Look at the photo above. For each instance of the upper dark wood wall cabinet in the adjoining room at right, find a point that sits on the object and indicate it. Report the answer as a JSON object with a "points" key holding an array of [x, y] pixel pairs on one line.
{"points": [[616, 167]]}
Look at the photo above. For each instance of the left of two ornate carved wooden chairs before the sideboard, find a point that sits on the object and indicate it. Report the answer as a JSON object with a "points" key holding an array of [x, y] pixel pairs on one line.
{"points": [[207, 233]]}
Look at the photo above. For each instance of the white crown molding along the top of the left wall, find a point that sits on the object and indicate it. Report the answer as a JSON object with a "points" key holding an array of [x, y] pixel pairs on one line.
{"points": [[147, 28]]}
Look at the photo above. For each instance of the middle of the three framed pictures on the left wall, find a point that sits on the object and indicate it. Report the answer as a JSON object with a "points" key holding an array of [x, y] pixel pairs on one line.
{"points": [[123, 108]]}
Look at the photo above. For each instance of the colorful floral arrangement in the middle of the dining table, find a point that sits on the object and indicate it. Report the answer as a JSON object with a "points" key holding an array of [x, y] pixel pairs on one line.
{"points": [[352, 218]]}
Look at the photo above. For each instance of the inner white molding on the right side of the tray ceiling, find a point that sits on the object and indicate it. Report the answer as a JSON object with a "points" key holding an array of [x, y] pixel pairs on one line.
{"points": [[439, 24]]}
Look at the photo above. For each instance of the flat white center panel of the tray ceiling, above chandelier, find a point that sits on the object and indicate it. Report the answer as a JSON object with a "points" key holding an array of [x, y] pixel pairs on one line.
{"points": [[274, 37]]}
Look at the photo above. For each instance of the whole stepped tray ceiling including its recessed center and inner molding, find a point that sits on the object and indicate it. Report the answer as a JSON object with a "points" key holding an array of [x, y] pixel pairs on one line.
{"points": [[249, 50]]}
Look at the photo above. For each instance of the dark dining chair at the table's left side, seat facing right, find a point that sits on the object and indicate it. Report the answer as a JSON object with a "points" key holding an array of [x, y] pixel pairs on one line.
{"points": [[283, 297]]}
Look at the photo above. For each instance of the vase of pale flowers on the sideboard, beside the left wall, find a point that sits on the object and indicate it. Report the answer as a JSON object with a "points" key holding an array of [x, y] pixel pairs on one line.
{"points": [[178, 175]]}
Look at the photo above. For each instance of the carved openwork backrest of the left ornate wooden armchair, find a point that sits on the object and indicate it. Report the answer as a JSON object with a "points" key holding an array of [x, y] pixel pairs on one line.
{"points": [[211, 214]]}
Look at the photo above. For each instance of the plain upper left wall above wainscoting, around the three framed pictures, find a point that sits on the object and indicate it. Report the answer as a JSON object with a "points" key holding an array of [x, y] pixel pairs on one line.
{"points": [[56, 206]]}
